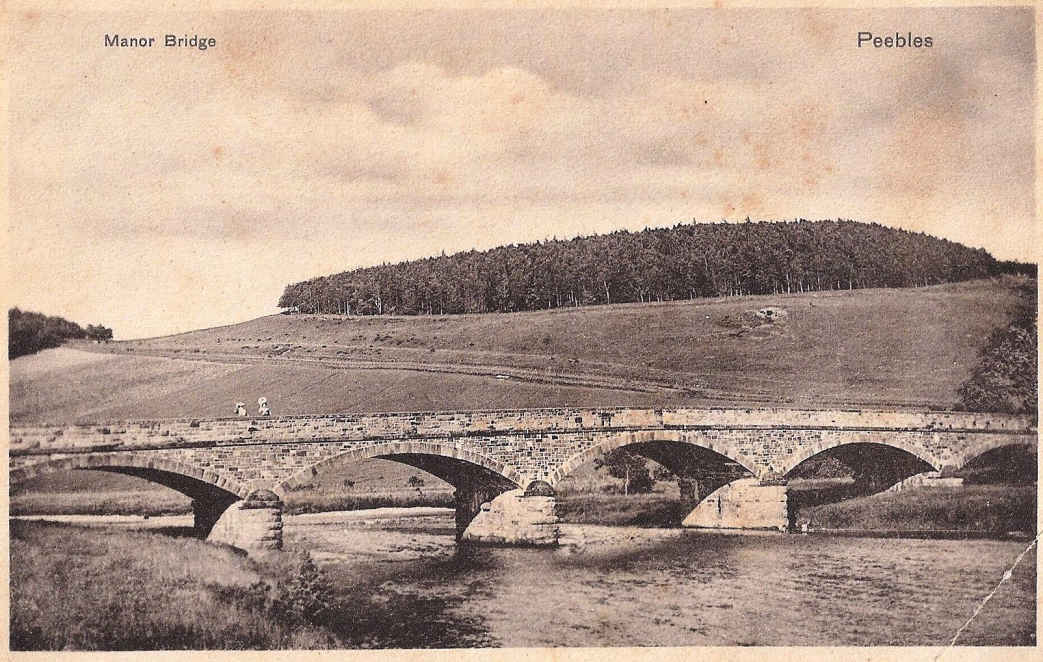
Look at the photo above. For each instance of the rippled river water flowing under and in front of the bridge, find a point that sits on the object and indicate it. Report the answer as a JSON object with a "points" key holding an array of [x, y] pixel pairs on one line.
{"points": [[411, 586]]}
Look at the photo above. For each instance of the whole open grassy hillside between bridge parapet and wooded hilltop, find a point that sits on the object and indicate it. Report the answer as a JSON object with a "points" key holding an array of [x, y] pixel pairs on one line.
{"points": [[884, 348]]}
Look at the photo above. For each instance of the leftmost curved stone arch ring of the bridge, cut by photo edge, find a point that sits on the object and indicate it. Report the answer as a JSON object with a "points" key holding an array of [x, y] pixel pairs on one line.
{"points": [[185, 478]]}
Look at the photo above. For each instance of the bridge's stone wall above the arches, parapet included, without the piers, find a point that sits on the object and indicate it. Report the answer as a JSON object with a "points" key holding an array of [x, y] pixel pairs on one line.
{"points": [[522, 446]]}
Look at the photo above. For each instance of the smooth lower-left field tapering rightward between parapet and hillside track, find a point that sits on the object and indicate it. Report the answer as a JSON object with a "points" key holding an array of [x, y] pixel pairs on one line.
{"points": [[124, 387]]}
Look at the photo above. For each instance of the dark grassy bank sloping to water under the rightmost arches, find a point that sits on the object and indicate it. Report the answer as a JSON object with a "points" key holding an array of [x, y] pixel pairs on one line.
{"points": [[988, 509]]}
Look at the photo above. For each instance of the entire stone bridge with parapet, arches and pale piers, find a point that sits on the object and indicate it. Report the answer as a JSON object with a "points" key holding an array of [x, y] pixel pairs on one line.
{"points": [[504, 464]]}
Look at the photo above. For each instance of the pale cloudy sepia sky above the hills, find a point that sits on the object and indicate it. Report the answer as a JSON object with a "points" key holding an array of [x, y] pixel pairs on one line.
{"points": [[160, 190]]}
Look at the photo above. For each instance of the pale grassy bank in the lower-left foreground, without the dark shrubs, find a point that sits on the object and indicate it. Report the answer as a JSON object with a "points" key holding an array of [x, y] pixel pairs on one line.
{"points": [[75, 589]]}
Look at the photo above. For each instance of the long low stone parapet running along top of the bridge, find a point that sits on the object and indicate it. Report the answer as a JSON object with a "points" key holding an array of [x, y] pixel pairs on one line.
{"points": [[188, 433]]}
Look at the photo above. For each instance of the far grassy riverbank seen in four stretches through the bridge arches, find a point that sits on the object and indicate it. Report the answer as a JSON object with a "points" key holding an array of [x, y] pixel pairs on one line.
{"points": [[988, 510]]}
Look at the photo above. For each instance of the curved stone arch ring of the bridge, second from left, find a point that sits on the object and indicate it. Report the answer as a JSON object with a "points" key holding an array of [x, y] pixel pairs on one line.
{"points": [[453, 463]]}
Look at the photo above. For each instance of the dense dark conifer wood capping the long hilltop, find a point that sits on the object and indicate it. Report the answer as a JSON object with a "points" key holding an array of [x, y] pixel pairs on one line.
{"points": [[685, 262]]}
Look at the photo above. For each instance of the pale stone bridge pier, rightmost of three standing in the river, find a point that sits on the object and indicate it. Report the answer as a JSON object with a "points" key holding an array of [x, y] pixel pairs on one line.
{"points": [[743, 504]]}
